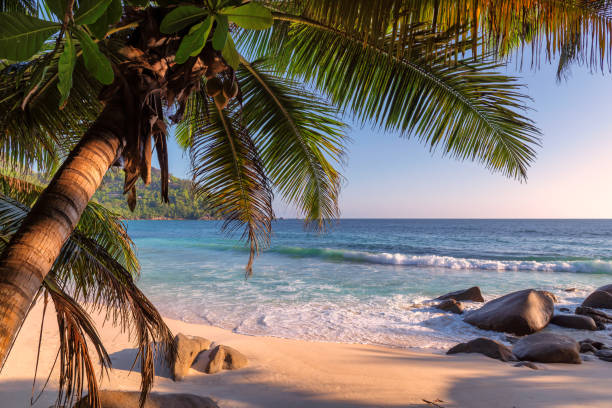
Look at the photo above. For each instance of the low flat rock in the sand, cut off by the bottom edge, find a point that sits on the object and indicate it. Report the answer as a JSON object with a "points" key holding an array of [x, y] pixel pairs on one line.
{"points": [[130, 399]]}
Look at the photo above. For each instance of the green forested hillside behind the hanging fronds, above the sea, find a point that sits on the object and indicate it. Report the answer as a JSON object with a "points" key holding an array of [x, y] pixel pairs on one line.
{"points": [[149, 204]]}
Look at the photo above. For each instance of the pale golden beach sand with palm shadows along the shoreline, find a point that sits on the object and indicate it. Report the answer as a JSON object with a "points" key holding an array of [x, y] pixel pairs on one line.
{"points": [[293, 373]]}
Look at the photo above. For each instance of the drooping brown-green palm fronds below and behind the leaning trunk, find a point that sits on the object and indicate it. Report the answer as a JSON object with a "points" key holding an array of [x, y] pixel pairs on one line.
{"points": [[97, 267]]}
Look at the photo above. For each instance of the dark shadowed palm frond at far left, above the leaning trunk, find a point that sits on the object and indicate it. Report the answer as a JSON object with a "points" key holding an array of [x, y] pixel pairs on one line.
{"points": [[41, 134]]}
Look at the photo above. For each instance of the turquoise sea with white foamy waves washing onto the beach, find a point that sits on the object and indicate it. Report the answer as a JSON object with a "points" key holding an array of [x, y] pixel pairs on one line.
{"points": [[366, 281]]}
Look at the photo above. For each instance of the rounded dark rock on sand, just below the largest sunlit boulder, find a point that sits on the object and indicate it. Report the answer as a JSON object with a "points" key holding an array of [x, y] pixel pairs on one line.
{"points": [[548, 348]]}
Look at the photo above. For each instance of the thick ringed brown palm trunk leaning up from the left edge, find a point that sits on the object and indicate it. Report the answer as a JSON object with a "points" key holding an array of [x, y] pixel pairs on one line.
{"points": [[31, 252]]}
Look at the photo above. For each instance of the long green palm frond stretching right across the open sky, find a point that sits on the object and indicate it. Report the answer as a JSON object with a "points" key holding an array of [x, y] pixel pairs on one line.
{"points": [[465, 109]]}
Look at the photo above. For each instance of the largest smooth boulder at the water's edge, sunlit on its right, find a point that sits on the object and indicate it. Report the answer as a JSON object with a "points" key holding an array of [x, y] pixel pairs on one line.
{"points": [[522, 312]]}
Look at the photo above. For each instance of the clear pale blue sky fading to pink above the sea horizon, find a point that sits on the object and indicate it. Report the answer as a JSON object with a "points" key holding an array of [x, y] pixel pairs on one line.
{"points": [[390, 177]]}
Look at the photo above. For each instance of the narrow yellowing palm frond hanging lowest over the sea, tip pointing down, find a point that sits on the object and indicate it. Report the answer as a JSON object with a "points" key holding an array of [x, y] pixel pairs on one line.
{"points": [[229, 175]]}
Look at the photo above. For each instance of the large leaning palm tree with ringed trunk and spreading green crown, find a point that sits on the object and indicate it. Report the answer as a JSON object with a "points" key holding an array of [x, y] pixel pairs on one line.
{"points": [[258, 90]]}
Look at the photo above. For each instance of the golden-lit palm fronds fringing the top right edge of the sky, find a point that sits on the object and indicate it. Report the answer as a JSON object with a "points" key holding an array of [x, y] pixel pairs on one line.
{"points": [[498, 26]]}
